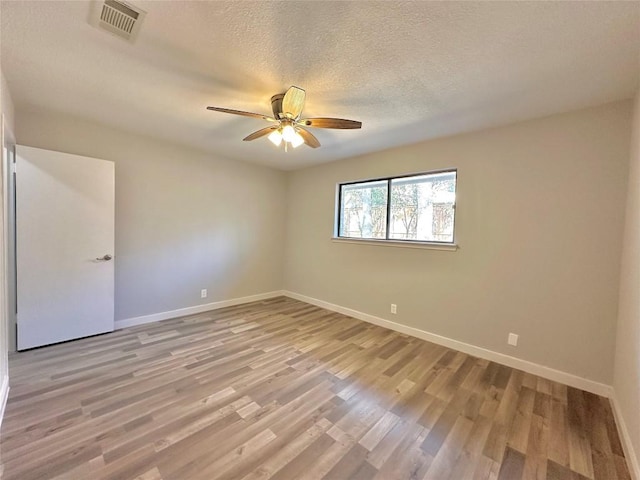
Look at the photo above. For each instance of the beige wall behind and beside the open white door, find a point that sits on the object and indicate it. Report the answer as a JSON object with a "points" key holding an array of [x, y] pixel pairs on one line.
{"points": [[185, 220]]}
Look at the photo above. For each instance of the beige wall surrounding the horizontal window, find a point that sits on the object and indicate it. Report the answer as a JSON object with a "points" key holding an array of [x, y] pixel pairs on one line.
{"points": [[539, 223]]}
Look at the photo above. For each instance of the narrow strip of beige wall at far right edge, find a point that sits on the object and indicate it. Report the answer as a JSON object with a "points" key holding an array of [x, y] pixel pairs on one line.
{"points": [[626, 379]]}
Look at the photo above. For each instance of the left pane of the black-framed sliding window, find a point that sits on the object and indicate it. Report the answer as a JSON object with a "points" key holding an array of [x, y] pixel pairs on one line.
{"points": [[363, 210]]}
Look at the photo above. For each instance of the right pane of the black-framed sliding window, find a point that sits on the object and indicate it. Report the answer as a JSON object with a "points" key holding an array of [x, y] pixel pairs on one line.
{"points": [[422, 207]]}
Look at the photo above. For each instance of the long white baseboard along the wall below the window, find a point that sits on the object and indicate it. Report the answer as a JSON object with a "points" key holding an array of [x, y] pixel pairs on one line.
{"points": [[530, 367]]}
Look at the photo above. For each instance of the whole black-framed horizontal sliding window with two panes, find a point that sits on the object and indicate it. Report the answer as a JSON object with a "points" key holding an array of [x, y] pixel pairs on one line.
{"points": [[418, 208]]}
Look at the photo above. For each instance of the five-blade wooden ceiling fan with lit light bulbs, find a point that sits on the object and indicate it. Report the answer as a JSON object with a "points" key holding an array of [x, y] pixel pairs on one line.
{"points": [[287, 126]]}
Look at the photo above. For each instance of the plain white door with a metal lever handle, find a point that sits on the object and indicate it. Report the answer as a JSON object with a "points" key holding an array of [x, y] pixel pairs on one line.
{"points": [[64, 246]]}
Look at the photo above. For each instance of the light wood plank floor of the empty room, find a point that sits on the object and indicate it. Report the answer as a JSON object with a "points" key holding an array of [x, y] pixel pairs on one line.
{"points": [[285, 390]]}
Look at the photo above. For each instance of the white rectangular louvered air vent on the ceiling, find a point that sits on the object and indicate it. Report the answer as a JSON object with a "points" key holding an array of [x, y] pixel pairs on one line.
{"points": [[120, 18]]}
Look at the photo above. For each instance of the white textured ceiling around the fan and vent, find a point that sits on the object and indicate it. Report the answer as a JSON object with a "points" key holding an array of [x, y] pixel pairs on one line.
{"points": [[410, 71]]}
